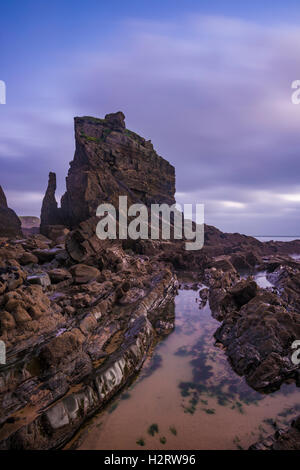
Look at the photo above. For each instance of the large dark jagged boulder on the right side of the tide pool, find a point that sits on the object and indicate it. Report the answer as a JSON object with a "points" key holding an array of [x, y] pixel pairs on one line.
{"points": [[258, 341]]}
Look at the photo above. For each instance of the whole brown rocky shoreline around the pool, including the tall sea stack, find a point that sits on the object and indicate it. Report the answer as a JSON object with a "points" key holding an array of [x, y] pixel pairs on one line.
{"points": [[78, 315]]}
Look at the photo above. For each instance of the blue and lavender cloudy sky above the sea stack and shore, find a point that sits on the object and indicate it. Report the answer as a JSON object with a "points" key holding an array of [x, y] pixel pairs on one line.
{"points": [[209, 82]]}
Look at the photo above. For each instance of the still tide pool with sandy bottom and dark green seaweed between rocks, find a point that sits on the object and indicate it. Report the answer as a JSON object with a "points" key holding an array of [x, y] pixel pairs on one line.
{"points": [[188, 397]]}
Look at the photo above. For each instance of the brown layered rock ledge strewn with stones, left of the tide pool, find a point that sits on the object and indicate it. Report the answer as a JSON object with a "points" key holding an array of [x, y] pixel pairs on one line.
{"points": [[75, 343]]}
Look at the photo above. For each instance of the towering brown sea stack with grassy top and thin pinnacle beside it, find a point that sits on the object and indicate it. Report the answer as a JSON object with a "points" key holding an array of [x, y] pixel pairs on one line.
{"points": [[109, 161]]}
